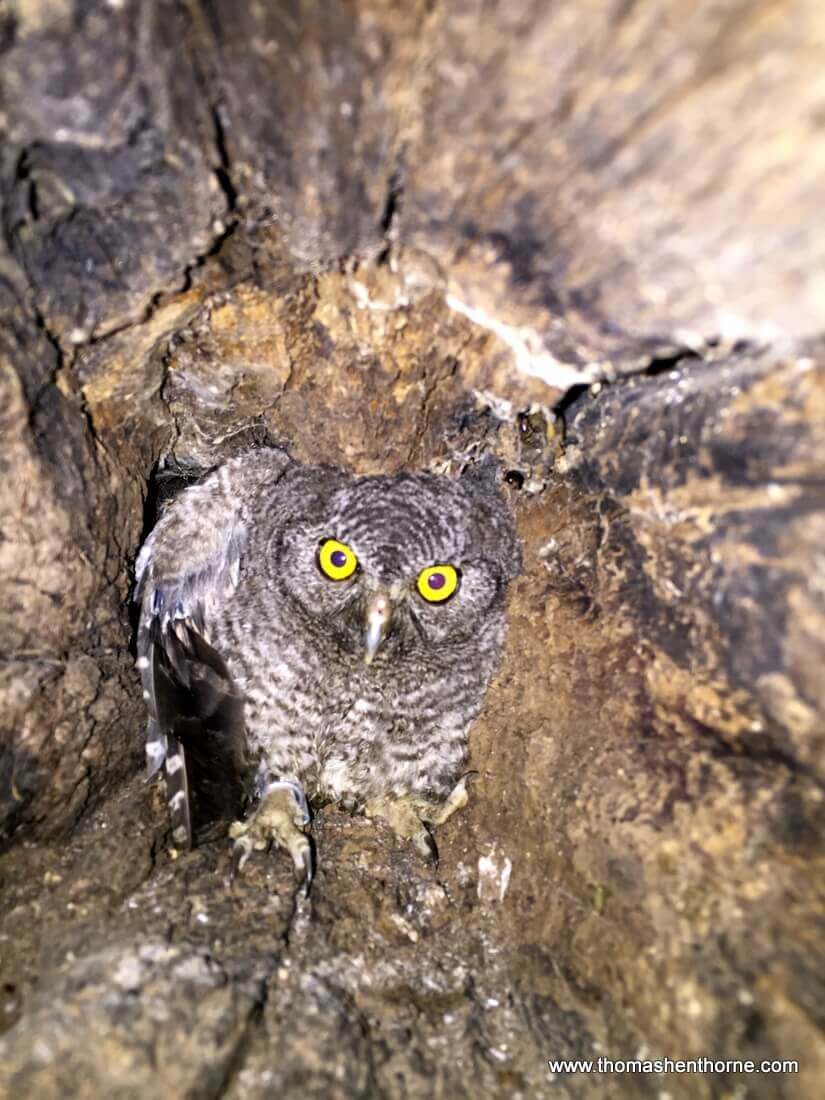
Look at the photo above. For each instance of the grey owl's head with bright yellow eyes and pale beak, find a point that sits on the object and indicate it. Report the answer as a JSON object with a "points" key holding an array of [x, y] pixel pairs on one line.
{"points": [[389, 567]]}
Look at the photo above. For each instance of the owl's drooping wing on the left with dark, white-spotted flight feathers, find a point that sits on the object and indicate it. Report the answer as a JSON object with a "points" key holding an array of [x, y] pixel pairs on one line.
{"points": [[189, 567]]}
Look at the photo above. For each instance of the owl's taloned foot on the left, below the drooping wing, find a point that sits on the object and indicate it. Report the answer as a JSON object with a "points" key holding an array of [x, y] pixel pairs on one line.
{"points": [[282, 818]]}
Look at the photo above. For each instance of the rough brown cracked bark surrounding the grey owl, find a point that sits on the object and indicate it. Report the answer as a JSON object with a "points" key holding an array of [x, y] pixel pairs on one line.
{"points": [[394, 237]]}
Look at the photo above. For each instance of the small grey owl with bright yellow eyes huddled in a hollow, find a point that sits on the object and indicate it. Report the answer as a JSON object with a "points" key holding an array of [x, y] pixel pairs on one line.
{"points": [[307, 636]]}
